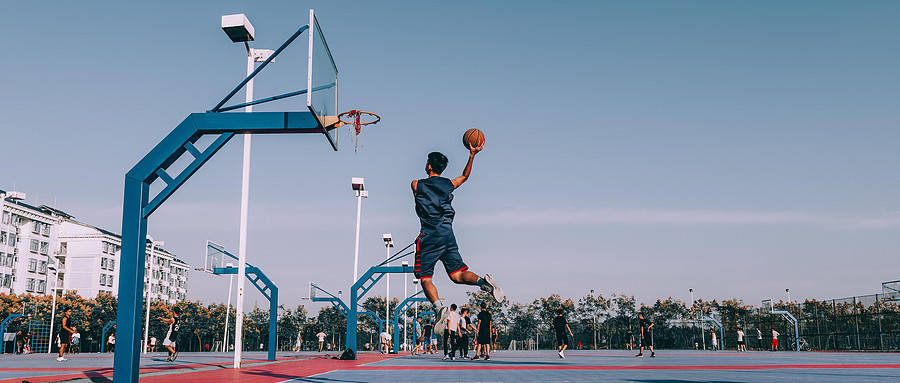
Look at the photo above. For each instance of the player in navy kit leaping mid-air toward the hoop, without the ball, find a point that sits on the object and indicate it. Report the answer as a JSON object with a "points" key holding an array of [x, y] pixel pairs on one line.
{"points": [[436, 241]]}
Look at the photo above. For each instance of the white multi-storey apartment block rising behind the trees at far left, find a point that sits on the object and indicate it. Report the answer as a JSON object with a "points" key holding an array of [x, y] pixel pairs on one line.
{"points": [[86, 257]]}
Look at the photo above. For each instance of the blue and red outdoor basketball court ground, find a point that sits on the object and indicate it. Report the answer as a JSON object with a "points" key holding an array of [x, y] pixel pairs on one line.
{"points": [[505, 366]]}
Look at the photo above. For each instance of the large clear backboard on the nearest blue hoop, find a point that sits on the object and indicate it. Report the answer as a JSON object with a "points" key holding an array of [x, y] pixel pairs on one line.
{"points": [[321, 81]]}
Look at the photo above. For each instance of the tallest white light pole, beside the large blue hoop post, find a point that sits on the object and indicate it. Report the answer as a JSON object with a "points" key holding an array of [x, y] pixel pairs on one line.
{"points": [[239, 30]]}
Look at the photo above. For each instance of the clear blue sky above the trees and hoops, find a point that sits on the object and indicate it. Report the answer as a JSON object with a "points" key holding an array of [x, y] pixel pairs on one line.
{"points": [[737, 148]]}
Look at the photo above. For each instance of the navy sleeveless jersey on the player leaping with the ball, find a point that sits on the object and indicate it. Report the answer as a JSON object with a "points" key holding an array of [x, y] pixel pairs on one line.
{"points": [[433, 197]]}
